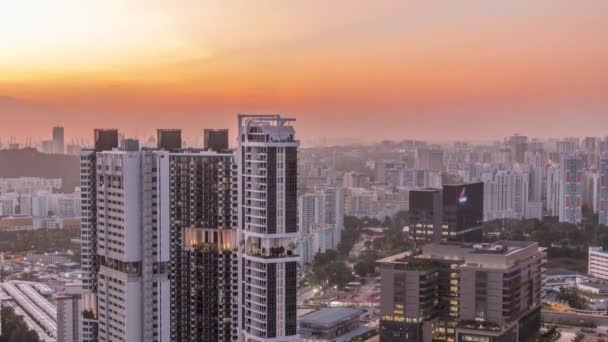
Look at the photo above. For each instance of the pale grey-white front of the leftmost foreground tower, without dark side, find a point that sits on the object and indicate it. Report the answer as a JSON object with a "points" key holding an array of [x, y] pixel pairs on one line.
{"points": [[132, 280]]}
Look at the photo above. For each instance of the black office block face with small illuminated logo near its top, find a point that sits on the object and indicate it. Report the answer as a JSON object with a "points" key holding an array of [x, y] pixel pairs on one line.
{"points": [[463, 211]]}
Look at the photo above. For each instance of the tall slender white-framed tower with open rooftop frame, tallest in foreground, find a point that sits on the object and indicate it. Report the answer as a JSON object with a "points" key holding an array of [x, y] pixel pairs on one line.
{"points": [[267, 160]]}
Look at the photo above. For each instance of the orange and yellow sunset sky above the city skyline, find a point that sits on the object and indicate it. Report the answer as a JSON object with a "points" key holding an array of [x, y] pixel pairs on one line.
{"points": [[345, 69]]}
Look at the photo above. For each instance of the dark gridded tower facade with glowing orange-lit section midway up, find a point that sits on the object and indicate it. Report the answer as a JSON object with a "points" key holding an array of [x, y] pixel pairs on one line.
{"points": [[202, 219]]}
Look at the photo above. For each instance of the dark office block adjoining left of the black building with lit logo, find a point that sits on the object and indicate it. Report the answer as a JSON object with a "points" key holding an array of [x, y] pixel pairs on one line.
{"points": [[425, 216]]}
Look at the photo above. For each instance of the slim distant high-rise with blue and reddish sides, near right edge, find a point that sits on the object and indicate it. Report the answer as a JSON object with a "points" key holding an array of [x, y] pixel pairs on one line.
{"points": [[571, 189]]}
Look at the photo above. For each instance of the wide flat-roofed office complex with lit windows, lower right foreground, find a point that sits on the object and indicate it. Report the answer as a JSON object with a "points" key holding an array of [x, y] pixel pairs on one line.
{"points": [[463, 292]]}
